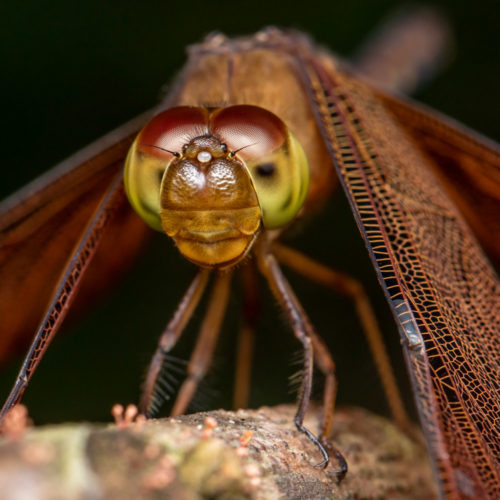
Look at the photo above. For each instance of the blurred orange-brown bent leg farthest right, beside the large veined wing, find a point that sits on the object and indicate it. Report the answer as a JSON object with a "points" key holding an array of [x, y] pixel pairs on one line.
{"points": [[348, 286]]}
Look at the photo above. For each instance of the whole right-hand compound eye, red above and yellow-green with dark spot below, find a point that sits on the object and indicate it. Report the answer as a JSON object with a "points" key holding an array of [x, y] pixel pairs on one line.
{"points": [[274, 157]]}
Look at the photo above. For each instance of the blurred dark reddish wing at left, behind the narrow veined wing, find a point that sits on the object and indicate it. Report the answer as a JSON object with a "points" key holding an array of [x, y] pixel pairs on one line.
{"points": [[40, 225]]}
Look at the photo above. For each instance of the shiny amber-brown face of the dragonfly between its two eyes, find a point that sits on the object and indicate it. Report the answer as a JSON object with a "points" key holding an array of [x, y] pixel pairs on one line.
{"points": [[208, 204]]}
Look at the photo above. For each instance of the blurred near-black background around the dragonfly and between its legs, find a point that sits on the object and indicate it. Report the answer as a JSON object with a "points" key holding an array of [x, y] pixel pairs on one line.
{"points": [[73, 71]]}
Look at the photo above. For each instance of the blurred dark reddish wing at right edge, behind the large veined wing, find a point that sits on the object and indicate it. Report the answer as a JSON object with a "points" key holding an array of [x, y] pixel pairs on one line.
{"points": [[467, 165]]}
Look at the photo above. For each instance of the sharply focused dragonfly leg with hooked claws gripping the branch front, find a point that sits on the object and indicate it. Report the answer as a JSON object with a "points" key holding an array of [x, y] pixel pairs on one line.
{"points": [[305, 333]]}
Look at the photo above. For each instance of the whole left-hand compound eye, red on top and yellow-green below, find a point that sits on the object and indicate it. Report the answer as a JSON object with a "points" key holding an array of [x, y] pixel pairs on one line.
{"points": [[156, 146]]}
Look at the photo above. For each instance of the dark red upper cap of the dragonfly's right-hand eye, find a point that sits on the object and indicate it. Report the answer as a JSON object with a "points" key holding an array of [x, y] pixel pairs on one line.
{"points": [[250, 130]]}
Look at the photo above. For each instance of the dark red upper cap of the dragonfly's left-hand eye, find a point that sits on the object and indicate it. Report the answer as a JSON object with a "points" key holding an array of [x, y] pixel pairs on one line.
{"points": [[171, 130]]}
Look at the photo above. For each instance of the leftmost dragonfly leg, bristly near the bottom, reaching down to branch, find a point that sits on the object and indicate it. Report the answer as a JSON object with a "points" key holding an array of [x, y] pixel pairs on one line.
{"points": [[169, 338]]}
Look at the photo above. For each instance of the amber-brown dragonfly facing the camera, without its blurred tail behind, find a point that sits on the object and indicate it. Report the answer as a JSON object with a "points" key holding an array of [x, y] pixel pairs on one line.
{"points": [[225, 165]]}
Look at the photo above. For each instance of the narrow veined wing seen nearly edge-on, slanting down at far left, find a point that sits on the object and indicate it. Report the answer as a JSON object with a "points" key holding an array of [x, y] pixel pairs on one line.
{"points": [[66, 289]]}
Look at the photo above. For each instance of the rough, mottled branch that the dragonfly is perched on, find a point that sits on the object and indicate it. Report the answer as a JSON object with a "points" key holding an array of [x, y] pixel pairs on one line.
{"points": [[248, 454]]}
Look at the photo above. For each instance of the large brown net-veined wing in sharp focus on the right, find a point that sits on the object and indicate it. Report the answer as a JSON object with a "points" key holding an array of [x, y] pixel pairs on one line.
{"points": [[442, 289]]}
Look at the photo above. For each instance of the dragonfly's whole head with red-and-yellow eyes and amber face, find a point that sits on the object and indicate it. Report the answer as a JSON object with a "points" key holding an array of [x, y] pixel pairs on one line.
{"points": [[211, 178]]}
